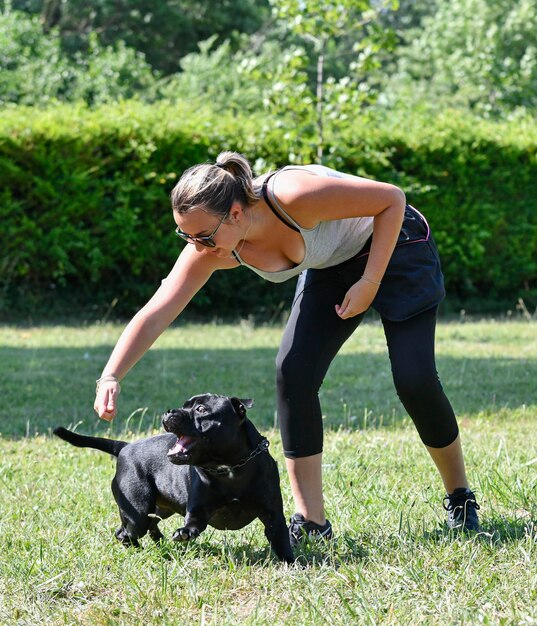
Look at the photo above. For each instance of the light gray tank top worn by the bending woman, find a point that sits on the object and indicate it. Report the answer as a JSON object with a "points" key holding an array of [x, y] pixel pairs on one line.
{"points": [[329, 243]]}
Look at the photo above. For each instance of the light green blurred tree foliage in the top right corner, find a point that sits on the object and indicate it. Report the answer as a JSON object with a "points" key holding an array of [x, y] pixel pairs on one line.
{"points": [[473, 54]]}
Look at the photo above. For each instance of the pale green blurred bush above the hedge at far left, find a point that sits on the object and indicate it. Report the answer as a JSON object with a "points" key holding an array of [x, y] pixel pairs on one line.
{"points": [[34, 69]]}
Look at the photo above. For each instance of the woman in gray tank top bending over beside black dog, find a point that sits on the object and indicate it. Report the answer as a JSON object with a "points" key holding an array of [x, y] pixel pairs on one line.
{"points": [[355, 244]]}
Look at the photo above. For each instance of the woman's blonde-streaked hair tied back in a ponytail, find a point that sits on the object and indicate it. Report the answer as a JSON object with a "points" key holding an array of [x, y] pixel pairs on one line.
{"points": [[216, 186]]}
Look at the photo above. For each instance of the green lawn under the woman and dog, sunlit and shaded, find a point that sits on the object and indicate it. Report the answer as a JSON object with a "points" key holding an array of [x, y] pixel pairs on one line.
{"points": [[393, 561]]}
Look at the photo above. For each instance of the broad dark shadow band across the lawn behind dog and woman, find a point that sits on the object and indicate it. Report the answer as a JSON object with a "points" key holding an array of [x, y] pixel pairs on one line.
{"points": [[45, 387]]}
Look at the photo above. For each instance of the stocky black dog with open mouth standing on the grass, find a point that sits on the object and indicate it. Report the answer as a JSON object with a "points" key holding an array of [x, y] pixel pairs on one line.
{"points": [[226, 477]]}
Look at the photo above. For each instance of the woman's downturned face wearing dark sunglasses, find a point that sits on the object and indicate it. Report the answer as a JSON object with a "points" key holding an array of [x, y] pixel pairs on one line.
{"points": [[208, 231]]}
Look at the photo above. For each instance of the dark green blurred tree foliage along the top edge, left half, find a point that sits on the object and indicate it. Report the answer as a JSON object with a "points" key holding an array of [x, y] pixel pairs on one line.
{"points": [[163, 31]]}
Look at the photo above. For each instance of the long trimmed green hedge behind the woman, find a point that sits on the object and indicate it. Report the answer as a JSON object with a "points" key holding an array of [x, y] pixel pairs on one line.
{"points": [[86, 222]]}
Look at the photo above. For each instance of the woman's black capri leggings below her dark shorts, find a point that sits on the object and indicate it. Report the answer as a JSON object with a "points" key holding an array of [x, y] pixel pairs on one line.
{"points": [[312, 338]]}
